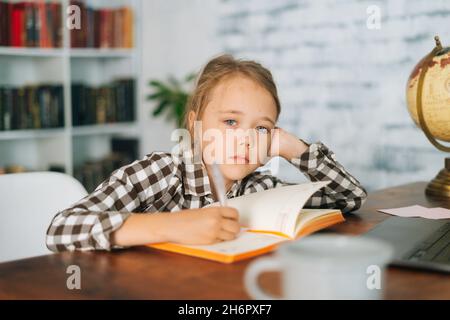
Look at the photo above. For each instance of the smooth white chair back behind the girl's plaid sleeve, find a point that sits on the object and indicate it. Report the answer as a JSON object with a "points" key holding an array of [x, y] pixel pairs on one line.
{"points": [[28, 202]]}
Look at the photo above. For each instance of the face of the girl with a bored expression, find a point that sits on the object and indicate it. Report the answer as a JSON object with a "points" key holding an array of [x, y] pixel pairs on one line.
{"points": [[236, 126]]}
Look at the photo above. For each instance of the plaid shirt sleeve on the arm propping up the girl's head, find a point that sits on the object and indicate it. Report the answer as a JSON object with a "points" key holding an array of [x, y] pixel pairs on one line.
{"points": [[318, 163]]}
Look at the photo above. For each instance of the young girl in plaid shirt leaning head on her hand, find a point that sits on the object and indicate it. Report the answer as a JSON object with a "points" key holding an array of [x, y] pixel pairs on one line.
{"points": [[162, 197]]}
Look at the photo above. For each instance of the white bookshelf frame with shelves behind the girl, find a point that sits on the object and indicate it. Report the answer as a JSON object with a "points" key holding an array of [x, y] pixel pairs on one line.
{"points": [[68, 146]]}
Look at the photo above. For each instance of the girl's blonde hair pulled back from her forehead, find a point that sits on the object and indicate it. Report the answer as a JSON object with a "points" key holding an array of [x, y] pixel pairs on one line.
{"points": [[223, 67]]}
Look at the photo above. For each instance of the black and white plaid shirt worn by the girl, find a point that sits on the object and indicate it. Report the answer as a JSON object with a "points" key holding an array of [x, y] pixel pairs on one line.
{"points": [[165, 182]]}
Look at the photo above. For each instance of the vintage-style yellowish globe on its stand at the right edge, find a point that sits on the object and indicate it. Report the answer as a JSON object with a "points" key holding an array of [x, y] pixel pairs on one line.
{"points": [[428, 101]]}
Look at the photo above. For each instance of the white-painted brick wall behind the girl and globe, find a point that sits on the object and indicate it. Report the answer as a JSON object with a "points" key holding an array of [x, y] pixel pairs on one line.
{"points": [[342, 83]]}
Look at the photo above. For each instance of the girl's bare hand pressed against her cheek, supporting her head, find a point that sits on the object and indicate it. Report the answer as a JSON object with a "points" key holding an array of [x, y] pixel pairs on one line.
{"points": [[286, 145]]}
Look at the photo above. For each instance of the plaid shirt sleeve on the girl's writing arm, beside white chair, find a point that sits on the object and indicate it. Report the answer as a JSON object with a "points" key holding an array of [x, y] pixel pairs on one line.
{"points": [[88, 224]]}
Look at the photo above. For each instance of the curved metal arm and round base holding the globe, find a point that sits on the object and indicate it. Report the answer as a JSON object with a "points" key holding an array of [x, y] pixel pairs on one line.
{"points": [[440, 185]]}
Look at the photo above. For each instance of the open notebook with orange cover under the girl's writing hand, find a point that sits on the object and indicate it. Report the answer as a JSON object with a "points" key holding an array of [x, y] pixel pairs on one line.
{"points": [[268, 218]]}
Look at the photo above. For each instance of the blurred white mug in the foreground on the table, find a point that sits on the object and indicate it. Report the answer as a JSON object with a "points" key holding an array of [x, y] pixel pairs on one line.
{"points": [[325, 267]]}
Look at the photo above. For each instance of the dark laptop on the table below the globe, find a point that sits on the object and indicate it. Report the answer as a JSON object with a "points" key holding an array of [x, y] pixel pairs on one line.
{"points": [[418, 242]]}
